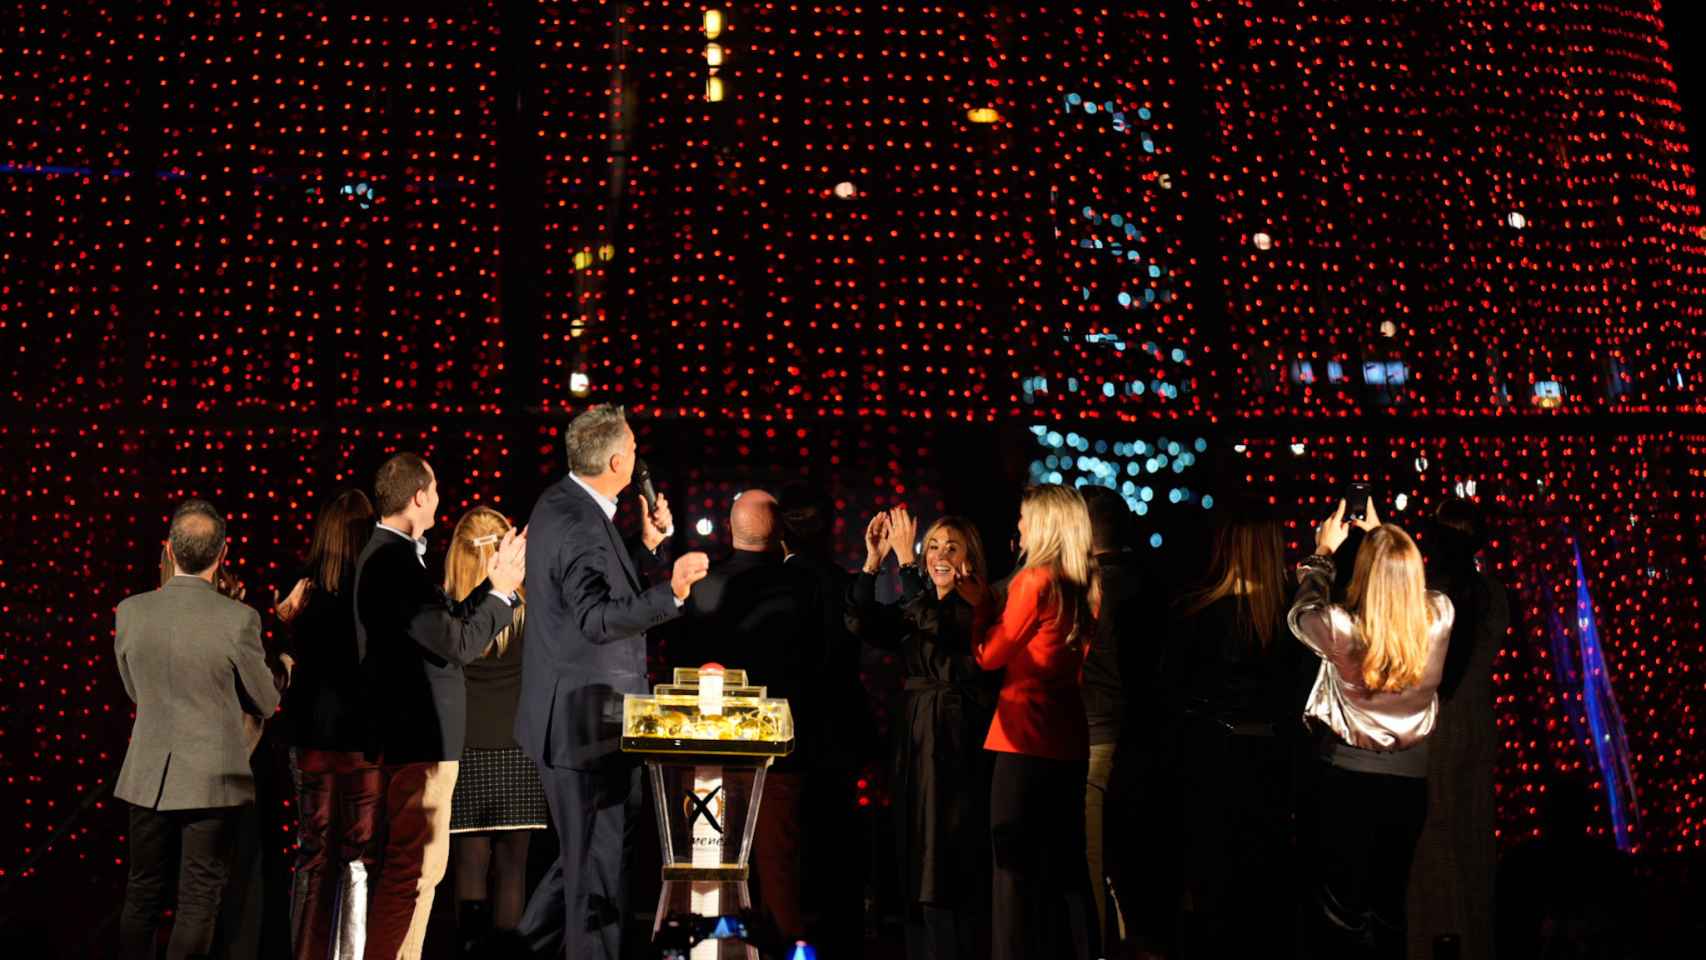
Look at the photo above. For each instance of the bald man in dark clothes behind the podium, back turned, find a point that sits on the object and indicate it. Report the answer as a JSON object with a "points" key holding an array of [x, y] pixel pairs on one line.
{"points": [[758, 613]]}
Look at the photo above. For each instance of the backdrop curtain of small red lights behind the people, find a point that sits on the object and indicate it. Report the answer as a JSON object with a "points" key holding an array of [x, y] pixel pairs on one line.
{"points": [[250, 248]]}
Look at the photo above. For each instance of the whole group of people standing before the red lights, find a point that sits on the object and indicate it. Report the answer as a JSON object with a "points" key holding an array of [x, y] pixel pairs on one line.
{"points": [[1084, 763]]}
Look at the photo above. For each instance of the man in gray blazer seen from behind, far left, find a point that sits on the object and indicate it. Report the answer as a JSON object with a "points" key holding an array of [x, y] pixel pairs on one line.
{"points": [[192, 661]]}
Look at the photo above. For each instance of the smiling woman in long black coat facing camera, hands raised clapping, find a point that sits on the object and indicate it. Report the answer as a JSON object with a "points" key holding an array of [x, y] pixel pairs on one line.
{"points": [[941, 772]]}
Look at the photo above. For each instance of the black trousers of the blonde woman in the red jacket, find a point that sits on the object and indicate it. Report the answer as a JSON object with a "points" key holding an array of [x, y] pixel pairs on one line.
{"points": [[1042, 893]]}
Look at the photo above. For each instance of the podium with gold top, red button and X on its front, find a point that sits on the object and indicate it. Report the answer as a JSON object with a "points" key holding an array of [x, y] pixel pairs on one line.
{"points": [[707, 739]]}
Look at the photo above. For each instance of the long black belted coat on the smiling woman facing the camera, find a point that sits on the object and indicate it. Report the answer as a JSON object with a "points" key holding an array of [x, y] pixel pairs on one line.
{"points": [[941, 770]]}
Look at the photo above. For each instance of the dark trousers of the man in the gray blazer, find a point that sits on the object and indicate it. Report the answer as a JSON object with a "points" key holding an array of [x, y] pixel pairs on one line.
{"points": [[199, 845]]}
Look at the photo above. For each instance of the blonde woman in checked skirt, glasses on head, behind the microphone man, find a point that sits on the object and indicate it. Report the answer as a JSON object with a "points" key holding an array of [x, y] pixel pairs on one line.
{"points": [[499, 801]]}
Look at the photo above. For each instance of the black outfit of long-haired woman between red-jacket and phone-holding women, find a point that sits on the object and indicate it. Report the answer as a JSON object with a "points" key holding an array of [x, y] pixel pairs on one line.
{"points": [[1238, 710]]}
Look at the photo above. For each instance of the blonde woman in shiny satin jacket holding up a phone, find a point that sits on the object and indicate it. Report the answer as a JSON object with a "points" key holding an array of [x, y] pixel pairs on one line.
{"points": [[1383, 656]]}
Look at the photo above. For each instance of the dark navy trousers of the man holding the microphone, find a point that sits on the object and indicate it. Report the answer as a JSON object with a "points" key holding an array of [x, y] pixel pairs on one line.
{"points": [[595, 814]]}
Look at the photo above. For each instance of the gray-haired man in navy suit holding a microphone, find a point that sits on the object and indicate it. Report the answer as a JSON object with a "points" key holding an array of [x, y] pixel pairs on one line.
{"points": [[586, 649]]}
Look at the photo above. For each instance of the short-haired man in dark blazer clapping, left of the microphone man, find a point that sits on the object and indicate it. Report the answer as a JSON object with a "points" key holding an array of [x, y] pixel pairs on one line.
{"points": [[414, 644]]}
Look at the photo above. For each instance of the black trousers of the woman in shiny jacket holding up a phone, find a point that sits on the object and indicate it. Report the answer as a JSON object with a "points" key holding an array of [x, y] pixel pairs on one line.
{"points": [[1369, 828]]}
